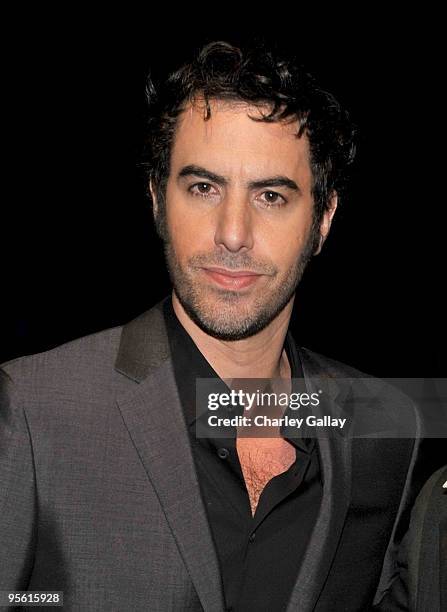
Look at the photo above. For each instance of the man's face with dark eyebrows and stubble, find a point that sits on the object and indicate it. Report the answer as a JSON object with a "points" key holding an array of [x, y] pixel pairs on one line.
{"points": [[239, 215]]}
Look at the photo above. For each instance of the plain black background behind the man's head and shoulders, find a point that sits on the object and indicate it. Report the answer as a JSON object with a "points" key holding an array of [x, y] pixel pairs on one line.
{"points": [[79, 252]]}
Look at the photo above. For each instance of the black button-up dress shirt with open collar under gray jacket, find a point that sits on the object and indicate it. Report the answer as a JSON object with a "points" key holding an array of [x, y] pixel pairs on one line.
{"points": [[259, 556]]}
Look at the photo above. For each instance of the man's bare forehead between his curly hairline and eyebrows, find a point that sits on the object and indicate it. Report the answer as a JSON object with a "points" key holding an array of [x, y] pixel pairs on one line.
{"points": [[234, 144]]}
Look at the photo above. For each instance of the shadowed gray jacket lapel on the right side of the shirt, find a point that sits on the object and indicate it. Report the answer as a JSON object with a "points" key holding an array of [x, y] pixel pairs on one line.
{"points": [[335, 456]]}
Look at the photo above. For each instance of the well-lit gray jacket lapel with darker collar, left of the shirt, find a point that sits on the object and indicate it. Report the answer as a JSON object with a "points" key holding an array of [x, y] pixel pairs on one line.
{"points": [[154, 418]]}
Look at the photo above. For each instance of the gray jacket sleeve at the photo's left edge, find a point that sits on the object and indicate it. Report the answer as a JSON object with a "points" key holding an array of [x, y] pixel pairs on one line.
{"points": [[17, 491]]}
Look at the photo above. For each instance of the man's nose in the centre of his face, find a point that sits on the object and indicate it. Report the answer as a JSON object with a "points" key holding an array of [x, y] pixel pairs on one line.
{"points": [[234, 229]]}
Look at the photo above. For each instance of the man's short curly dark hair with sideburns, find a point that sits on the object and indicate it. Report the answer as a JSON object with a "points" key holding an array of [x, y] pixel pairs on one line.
{"points": [[221, 71]]}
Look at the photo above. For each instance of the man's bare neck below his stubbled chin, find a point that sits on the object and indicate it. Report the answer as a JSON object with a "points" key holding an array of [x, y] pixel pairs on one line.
{"points": [[260, 356]]}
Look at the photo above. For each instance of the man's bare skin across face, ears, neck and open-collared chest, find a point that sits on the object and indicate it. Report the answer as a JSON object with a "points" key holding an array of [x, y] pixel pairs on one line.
{"points": [[231, 222]]}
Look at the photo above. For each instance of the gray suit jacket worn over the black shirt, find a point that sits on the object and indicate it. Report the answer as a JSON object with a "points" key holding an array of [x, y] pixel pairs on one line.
{"points": [[100, 499]]}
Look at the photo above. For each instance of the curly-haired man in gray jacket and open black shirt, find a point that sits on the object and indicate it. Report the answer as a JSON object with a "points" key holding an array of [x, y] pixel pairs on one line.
{"points": [[107, 492]]}
